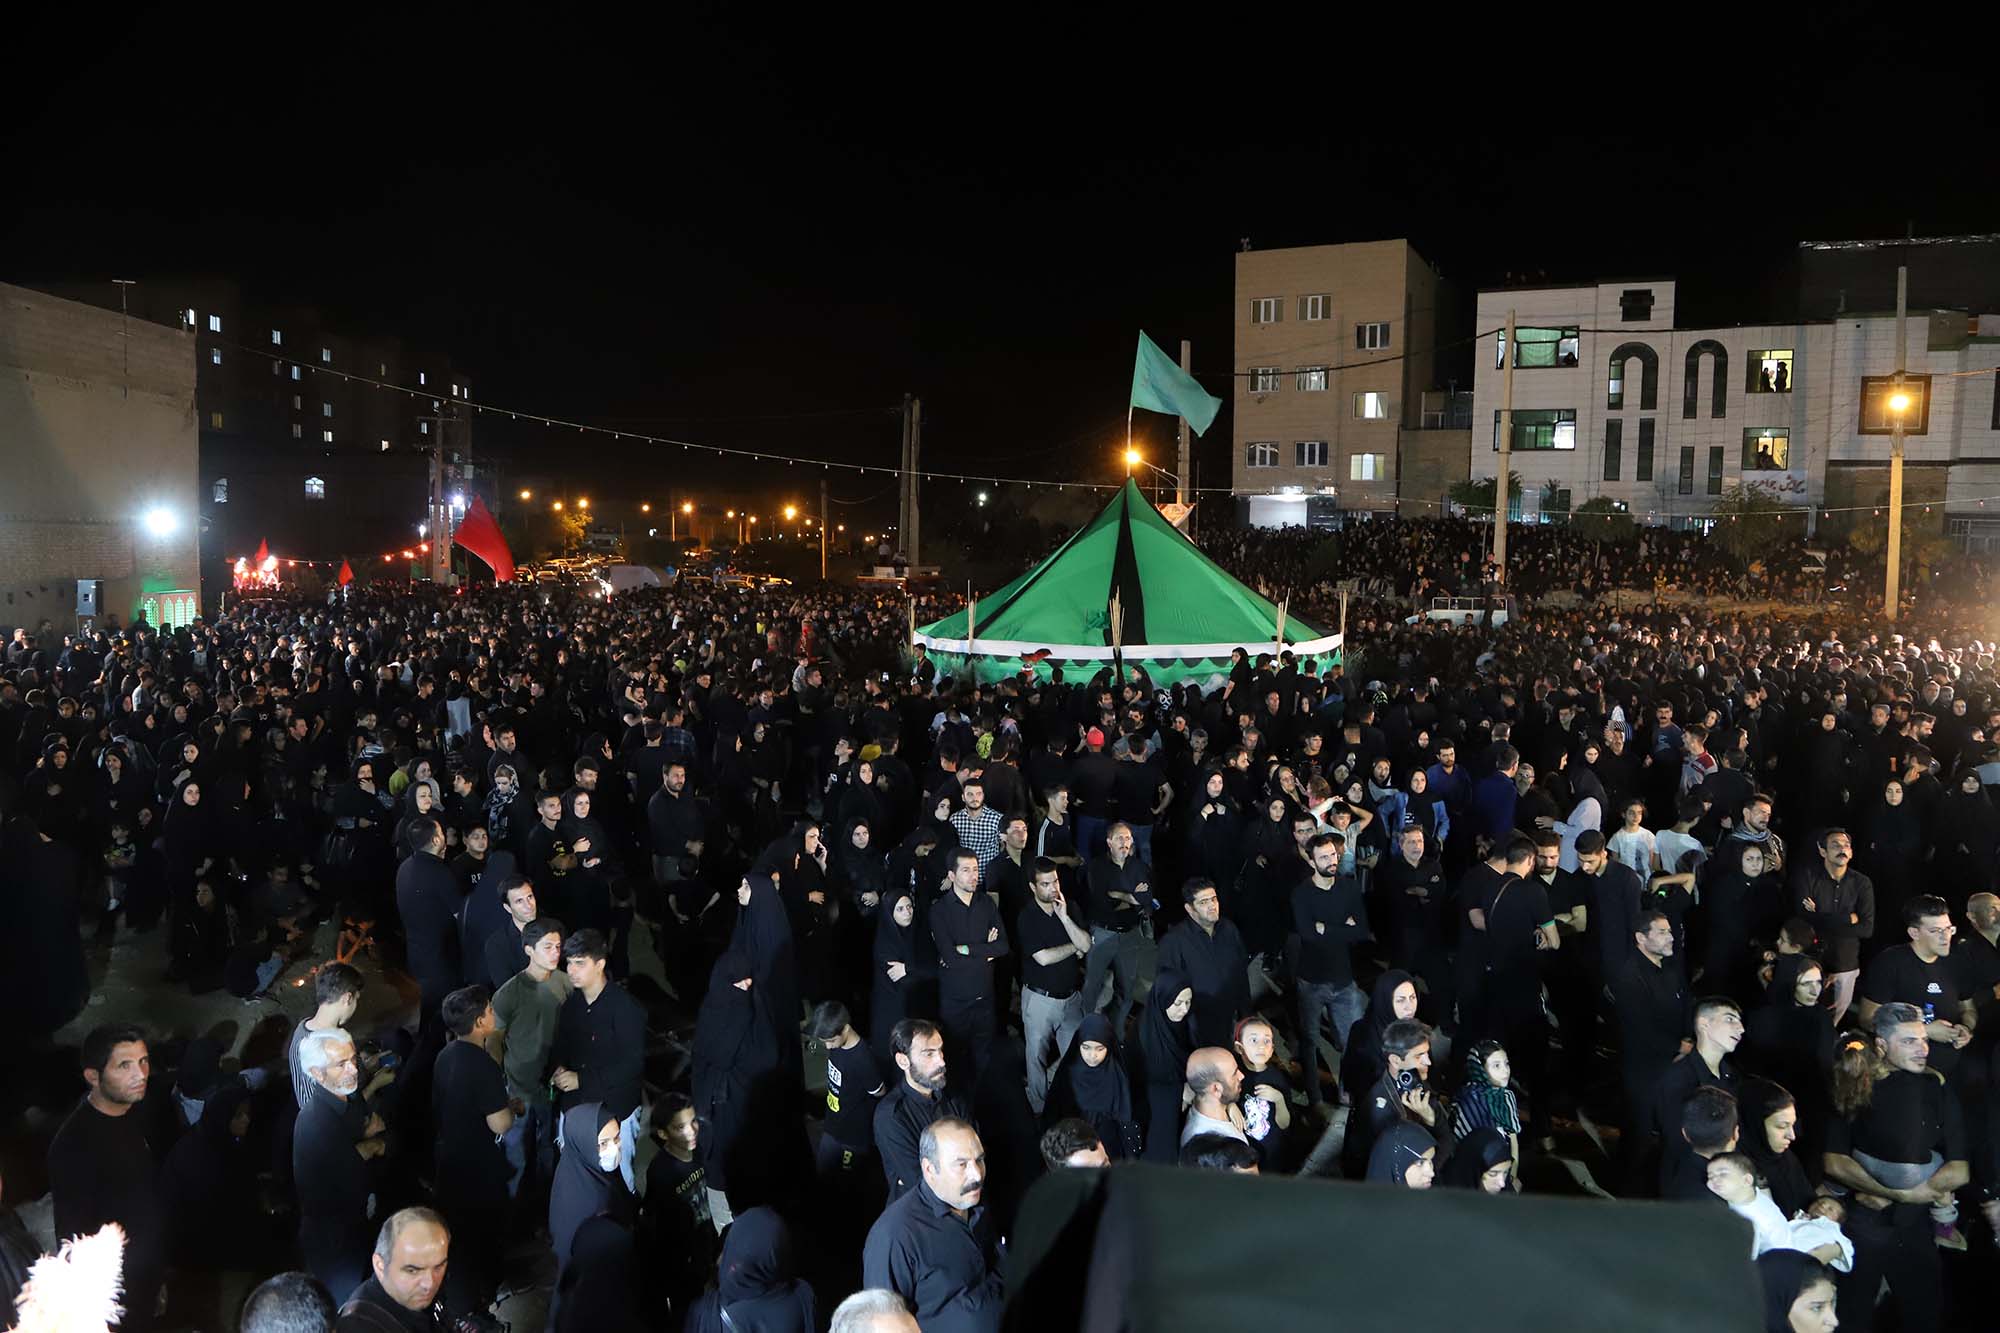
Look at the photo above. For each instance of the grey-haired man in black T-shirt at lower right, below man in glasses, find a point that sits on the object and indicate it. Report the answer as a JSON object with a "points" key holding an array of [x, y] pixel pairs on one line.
{"points": [[1903, 1152]]}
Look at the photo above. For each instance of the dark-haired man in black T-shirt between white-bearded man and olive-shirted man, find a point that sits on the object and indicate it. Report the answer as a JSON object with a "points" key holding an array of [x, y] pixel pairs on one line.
{"points": [[471, 1112]]}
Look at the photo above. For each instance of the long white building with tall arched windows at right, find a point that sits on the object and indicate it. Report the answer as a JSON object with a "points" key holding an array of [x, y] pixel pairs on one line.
{"points": [[1613, 399]]}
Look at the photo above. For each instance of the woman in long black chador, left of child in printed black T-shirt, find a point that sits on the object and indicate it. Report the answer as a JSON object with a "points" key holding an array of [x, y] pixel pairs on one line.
{"points": [[737, 1068]]}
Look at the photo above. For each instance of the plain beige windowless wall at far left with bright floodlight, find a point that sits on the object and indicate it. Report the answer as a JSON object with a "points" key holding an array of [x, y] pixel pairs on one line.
{"points": [[97, 429]]}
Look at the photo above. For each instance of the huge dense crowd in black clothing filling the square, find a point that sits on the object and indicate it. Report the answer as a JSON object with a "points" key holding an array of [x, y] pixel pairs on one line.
{"points": [[741, 960]]}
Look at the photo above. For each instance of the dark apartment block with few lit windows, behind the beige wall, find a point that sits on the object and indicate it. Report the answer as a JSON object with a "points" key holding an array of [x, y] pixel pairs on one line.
{"points": [[313, 439]]}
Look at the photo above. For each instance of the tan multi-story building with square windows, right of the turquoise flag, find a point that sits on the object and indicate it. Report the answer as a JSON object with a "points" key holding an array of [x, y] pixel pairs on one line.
{"points": [[1335, 349]]}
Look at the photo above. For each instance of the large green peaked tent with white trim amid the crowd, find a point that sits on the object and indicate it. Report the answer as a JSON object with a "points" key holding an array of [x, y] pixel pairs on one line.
{"points": [[1183, 613]]}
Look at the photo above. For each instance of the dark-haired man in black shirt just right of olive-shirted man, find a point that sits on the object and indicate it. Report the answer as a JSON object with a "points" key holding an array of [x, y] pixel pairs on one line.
{"points": [[601, 1042]]}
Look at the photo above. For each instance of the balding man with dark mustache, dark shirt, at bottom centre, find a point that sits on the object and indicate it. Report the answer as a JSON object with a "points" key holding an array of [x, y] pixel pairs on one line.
{"points": [[935, 1246]]}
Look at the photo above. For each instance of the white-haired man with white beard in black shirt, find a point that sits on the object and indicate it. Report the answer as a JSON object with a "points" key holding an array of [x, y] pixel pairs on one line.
{"points": [[335, 1150]]}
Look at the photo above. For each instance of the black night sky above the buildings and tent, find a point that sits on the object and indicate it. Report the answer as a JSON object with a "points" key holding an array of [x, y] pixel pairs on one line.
{"points": [[765, 231]]}
